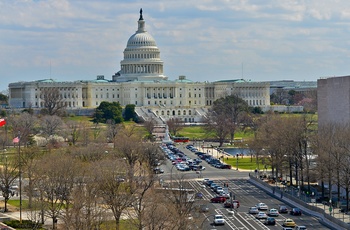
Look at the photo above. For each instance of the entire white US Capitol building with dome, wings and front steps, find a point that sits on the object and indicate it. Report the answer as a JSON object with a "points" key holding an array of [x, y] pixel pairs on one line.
{"points": [[141, 82]]}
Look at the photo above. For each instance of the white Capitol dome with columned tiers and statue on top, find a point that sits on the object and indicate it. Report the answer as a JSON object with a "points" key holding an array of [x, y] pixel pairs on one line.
{"points": [[141, 58]]}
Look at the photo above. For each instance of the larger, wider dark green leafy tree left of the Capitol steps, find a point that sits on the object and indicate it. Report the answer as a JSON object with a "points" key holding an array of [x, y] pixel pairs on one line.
{"points": [[108, 111]]}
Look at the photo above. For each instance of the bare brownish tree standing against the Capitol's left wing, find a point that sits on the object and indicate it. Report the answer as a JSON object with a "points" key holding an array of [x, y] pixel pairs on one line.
{"points": [[54, 103]]}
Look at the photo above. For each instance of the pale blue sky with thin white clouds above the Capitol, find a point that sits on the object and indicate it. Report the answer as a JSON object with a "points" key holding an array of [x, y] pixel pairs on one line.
{"points": [[205, 40]]}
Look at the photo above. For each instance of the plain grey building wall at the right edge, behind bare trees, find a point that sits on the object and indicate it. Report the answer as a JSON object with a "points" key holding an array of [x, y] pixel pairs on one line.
{"points": [[333, 98]]}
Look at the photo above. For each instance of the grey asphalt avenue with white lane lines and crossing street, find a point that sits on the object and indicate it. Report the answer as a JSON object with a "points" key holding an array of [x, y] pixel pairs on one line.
{"points": [[246, 193]]}
